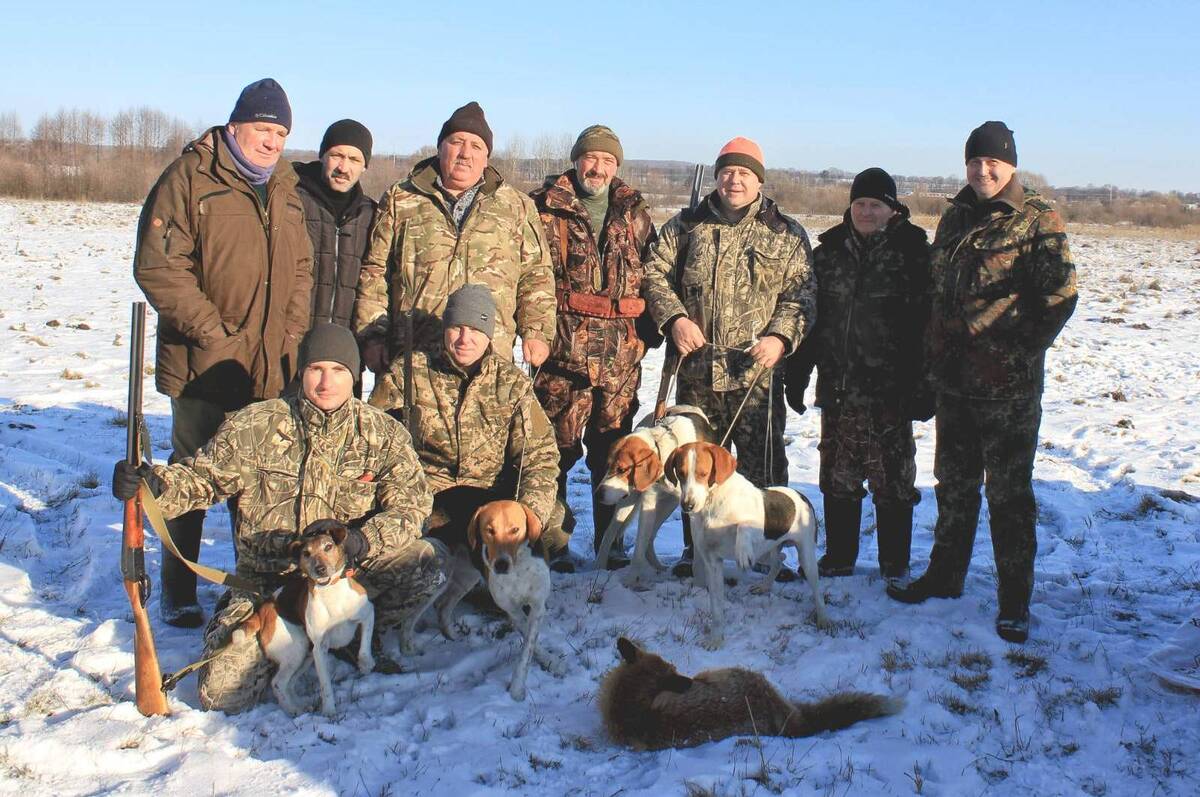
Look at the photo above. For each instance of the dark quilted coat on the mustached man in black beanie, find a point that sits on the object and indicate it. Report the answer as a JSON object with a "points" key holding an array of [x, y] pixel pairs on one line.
{"points": [[339, 245]]}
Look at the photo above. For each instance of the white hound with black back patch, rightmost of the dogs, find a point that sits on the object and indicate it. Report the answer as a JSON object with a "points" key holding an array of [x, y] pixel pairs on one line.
{"points": [[731, 519]]}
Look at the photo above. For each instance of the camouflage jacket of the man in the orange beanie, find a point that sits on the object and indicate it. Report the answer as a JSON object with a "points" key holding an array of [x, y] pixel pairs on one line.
{"points": [[737, 281]]}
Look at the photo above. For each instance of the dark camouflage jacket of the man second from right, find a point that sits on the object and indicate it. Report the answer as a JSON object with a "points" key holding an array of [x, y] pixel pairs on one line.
{"points": [[873, 307]]}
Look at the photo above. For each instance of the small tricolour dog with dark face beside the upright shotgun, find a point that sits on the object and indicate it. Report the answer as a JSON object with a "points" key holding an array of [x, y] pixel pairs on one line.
{"points": [[320, 610]]}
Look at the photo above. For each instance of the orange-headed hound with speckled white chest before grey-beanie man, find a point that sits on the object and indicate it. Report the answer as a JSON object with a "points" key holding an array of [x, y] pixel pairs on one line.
{"points": [[501, 544]]}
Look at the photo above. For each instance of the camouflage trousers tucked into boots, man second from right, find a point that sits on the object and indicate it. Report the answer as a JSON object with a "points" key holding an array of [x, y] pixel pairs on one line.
{"points": [[869, 441]]}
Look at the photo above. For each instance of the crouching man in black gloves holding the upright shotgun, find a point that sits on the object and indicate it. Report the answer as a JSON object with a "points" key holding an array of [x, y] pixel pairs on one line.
{"points": [[292, 462]]}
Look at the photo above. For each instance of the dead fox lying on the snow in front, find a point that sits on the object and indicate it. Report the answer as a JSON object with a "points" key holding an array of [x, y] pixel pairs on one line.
{"points": [[647, 705]]}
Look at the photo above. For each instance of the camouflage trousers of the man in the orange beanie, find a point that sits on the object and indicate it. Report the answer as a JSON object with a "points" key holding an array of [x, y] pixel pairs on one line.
{"points": [[759, 435]]}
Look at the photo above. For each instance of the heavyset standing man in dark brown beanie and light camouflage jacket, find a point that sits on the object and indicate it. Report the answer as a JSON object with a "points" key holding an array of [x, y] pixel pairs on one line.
{"points": [[452, 221]]}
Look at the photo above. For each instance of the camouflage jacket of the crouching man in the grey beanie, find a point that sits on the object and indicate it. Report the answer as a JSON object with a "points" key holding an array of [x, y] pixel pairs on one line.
{"points": [[476, 429]]}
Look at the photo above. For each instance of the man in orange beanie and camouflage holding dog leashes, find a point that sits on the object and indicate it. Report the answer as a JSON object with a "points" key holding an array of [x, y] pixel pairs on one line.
{"points": [[731, 281]]}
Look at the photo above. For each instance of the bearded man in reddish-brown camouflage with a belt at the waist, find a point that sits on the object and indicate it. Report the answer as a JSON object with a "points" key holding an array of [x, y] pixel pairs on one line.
{"points": [[598, 229]]}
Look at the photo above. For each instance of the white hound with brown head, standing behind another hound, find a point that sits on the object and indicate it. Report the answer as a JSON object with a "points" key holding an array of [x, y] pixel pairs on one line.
{"points": [[634, 482]]}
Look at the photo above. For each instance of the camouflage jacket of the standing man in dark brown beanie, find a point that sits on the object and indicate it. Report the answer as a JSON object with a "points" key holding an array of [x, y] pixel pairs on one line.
{"points": [[418, 257]]}
